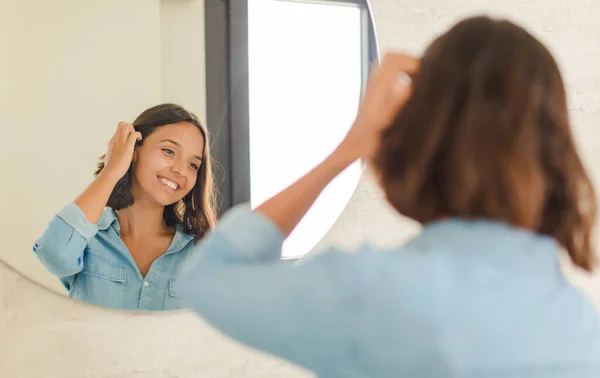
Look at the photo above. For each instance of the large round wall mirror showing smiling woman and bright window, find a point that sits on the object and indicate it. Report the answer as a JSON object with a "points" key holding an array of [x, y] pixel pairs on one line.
{"points": [[275, 97]]}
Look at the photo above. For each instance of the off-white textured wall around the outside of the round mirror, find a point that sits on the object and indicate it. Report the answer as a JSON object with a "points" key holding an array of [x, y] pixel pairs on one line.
{"points": [[42, 335]]}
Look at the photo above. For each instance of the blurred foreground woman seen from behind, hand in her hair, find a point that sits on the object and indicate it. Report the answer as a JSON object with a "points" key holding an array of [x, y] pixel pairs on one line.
{"points": [[479, 150]]}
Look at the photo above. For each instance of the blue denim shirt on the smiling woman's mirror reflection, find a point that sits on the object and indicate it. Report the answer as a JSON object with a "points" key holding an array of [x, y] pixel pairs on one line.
{"points": [[95, 266]]}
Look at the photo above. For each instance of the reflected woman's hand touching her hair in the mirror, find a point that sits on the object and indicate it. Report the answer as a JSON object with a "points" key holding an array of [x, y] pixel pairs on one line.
{"points": [[120, 150]]}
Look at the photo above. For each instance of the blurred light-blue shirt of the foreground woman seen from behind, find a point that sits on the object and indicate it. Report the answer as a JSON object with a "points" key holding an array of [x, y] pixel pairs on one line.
{"points": [[462, 299]]}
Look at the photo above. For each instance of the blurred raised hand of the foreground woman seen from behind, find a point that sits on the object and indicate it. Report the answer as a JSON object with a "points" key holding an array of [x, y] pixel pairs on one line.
{"points": [[387, 90]]}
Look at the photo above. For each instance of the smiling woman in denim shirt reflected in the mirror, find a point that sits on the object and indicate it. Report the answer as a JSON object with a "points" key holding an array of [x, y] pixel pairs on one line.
{"points": [[119, 243]]}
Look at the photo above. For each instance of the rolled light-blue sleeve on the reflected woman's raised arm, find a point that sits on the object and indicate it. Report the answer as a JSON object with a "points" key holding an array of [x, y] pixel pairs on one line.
{"points": [[61, 246]]}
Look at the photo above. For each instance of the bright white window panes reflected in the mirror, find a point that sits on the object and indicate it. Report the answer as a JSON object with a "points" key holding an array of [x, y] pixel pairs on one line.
{"points": [[305, 79]]}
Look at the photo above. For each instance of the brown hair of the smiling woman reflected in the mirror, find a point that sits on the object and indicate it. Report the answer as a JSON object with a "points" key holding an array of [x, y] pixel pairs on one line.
{"points": [[196, 211]]}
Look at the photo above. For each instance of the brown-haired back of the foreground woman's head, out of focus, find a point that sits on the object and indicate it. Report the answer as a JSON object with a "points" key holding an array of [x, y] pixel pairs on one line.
{"points": [[486, 134]]}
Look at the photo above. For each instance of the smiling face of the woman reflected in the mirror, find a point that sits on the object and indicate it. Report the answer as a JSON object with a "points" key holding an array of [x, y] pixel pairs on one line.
{"points": [[167, 163]]}
